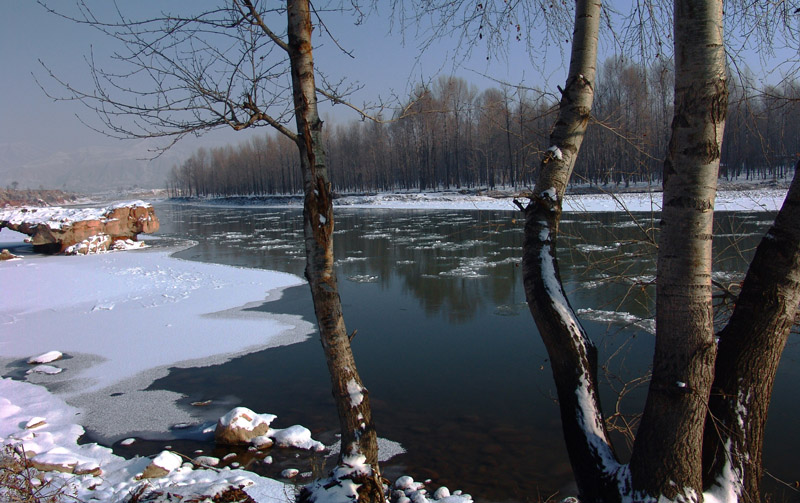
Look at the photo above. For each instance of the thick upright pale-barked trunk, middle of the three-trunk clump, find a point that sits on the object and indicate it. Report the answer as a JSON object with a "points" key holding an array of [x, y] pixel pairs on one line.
{"points": [[667, 456]]}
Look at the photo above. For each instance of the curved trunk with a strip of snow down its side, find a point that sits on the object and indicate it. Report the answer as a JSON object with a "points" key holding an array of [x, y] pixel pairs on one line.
{"points": [[573, 357]]}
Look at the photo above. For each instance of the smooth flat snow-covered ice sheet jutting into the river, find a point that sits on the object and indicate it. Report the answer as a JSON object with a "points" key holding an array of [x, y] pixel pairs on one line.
{"points": [[109, 311]]}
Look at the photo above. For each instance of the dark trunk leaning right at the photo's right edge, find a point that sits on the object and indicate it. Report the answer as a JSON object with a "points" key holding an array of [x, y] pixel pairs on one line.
{"points": [[750, 348]]}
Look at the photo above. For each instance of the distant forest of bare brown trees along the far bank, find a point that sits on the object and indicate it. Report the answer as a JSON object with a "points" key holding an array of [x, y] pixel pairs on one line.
{"points": [[454, 137]]}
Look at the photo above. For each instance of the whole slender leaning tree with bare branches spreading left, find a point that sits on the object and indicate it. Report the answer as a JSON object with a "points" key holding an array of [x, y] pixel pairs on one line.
{"points": [[228, 66]]}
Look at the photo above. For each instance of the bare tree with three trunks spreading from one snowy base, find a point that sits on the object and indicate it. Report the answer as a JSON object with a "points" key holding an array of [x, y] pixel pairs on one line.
{"points": [[667, 460]]}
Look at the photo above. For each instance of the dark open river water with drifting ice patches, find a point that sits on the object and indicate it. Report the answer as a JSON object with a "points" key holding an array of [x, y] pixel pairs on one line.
{"points": [[456, 370]]}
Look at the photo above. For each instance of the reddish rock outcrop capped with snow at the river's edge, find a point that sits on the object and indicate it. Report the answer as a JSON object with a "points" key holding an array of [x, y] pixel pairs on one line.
{"points": [[54, 229]]}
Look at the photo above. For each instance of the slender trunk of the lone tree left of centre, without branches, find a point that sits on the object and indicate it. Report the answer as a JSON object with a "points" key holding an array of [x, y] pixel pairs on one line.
{"points": [[351, 397]]}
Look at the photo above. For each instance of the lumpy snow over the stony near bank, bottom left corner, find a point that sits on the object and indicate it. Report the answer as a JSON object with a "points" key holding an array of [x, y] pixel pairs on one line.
{"points": [[94, 472]]}
